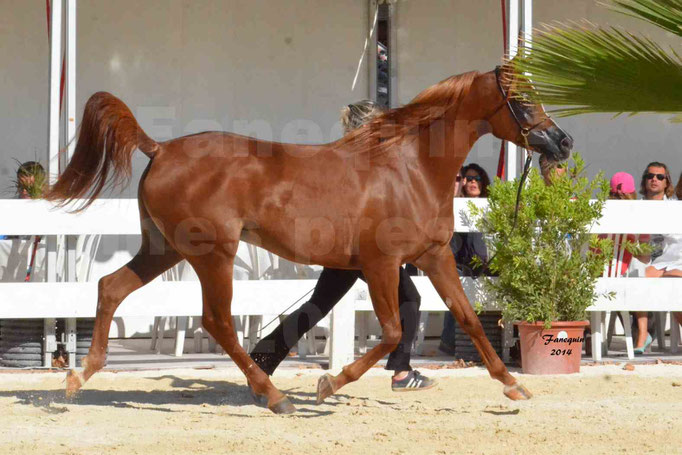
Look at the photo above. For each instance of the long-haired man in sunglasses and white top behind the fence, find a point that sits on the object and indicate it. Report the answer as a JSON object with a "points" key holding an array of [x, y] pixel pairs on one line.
{"points": [[656, 185]]}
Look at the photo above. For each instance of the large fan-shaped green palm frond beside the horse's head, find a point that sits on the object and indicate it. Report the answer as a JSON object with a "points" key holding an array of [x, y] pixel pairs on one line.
{"points": [[583, 69]]}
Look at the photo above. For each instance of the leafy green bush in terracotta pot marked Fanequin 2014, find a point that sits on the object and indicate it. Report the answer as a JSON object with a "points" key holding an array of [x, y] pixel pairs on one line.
{"points": [[548, 265]]}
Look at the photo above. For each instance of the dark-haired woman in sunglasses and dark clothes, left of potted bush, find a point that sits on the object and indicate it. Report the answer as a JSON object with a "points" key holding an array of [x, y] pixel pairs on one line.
{"points": [[465, 246]]}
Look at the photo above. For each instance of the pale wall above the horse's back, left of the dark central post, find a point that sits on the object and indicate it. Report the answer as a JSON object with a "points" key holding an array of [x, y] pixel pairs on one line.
{"points": [[185, 66]]}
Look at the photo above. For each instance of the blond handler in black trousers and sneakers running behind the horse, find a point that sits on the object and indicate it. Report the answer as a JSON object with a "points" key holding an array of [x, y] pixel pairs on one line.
{"points": [[332, 285]]}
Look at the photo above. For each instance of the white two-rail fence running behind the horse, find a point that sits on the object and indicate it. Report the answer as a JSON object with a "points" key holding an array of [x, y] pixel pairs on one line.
{"points": [[120, 217]]}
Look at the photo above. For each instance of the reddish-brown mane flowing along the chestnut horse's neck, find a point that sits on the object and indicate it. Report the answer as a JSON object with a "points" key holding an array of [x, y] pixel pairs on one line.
{"points": [[391, 126]]}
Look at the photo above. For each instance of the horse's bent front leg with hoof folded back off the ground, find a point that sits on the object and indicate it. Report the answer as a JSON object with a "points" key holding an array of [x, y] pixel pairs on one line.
{"points": [[382, 280]]}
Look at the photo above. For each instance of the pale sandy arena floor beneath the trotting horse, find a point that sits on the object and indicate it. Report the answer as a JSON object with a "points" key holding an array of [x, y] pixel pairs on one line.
{"points": [[603, 410]]}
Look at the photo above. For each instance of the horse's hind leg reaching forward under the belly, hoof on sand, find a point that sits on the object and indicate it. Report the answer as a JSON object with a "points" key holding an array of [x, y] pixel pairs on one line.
{"points": [[215, 273]]}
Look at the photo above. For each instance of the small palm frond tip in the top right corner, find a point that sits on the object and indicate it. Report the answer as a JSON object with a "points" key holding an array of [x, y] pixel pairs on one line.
{"points": [[666, 14]]}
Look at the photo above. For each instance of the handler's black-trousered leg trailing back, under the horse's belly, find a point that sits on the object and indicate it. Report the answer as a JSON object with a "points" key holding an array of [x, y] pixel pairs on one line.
{"points": [[332, 285]]}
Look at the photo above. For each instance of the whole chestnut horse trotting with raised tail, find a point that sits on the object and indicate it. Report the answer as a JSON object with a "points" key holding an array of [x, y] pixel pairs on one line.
{"points": [[373, 200]]}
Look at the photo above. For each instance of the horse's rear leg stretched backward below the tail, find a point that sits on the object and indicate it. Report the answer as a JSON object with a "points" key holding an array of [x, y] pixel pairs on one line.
{"points": [[155, 257]]}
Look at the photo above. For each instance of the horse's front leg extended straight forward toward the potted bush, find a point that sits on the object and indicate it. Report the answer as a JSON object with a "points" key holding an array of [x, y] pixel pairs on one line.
{"points": [[439, 266]]}
